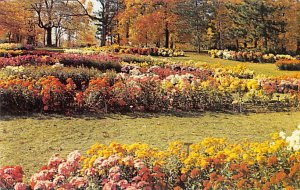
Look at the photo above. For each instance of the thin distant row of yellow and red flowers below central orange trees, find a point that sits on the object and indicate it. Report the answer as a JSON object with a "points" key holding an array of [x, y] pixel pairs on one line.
{"points": [[166, 52]]}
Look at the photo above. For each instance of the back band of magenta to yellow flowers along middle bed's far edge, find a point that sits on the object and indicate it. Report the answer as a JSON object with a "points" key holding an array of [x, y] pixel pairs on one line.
{"points": [[108, 62]]}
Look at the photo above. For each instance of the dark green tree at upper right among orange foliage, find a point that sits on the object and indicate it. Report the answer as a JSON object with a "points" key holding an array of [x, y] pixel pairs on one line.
{"points": [[263, 19]]}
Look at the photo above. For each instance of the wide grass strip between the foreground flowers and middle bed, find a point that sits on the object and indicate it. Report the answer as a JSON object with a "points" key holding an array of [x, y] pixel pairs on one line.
{"points": [[30, 141]]}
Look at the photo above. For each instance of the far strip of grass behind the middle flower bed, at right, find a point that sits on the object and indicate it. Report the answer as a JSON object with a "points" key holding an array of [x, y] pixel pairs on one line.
{"points": [[259, 68]]}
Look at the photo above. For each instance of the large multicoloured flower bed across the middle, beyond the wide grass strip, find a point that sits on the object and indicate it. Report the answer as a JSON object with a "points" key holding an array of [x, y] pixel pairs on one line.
{"points": [[63, 82]]}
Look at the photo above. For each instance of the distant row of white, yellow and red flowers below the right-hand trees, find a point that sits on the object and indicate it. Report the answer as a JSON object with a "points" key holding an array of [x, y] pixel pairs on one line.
{"points": [[248, 56]]}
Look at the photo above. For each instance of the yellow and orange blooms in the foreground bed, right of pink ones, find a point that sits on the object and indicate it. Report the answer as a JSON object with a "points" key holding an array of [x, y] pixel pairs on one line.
{"points": [[214, 162]]}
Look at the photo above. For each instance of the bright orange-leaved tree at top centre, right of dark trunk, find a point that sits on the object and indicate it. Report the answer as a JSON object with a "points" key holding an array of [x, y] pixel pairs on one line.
{"points": [[148, 21]]}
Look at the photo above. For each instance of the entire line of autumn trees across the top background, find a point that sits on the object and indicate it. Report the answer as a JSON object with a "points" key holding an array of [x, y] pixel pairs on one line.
{"points": [[265, 25]]}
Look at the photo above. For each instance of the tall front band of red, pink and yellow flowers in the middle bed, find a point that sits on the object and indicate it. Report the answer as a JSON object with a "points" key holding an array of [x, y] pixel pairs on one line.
{"points": [[156, 90]]}
